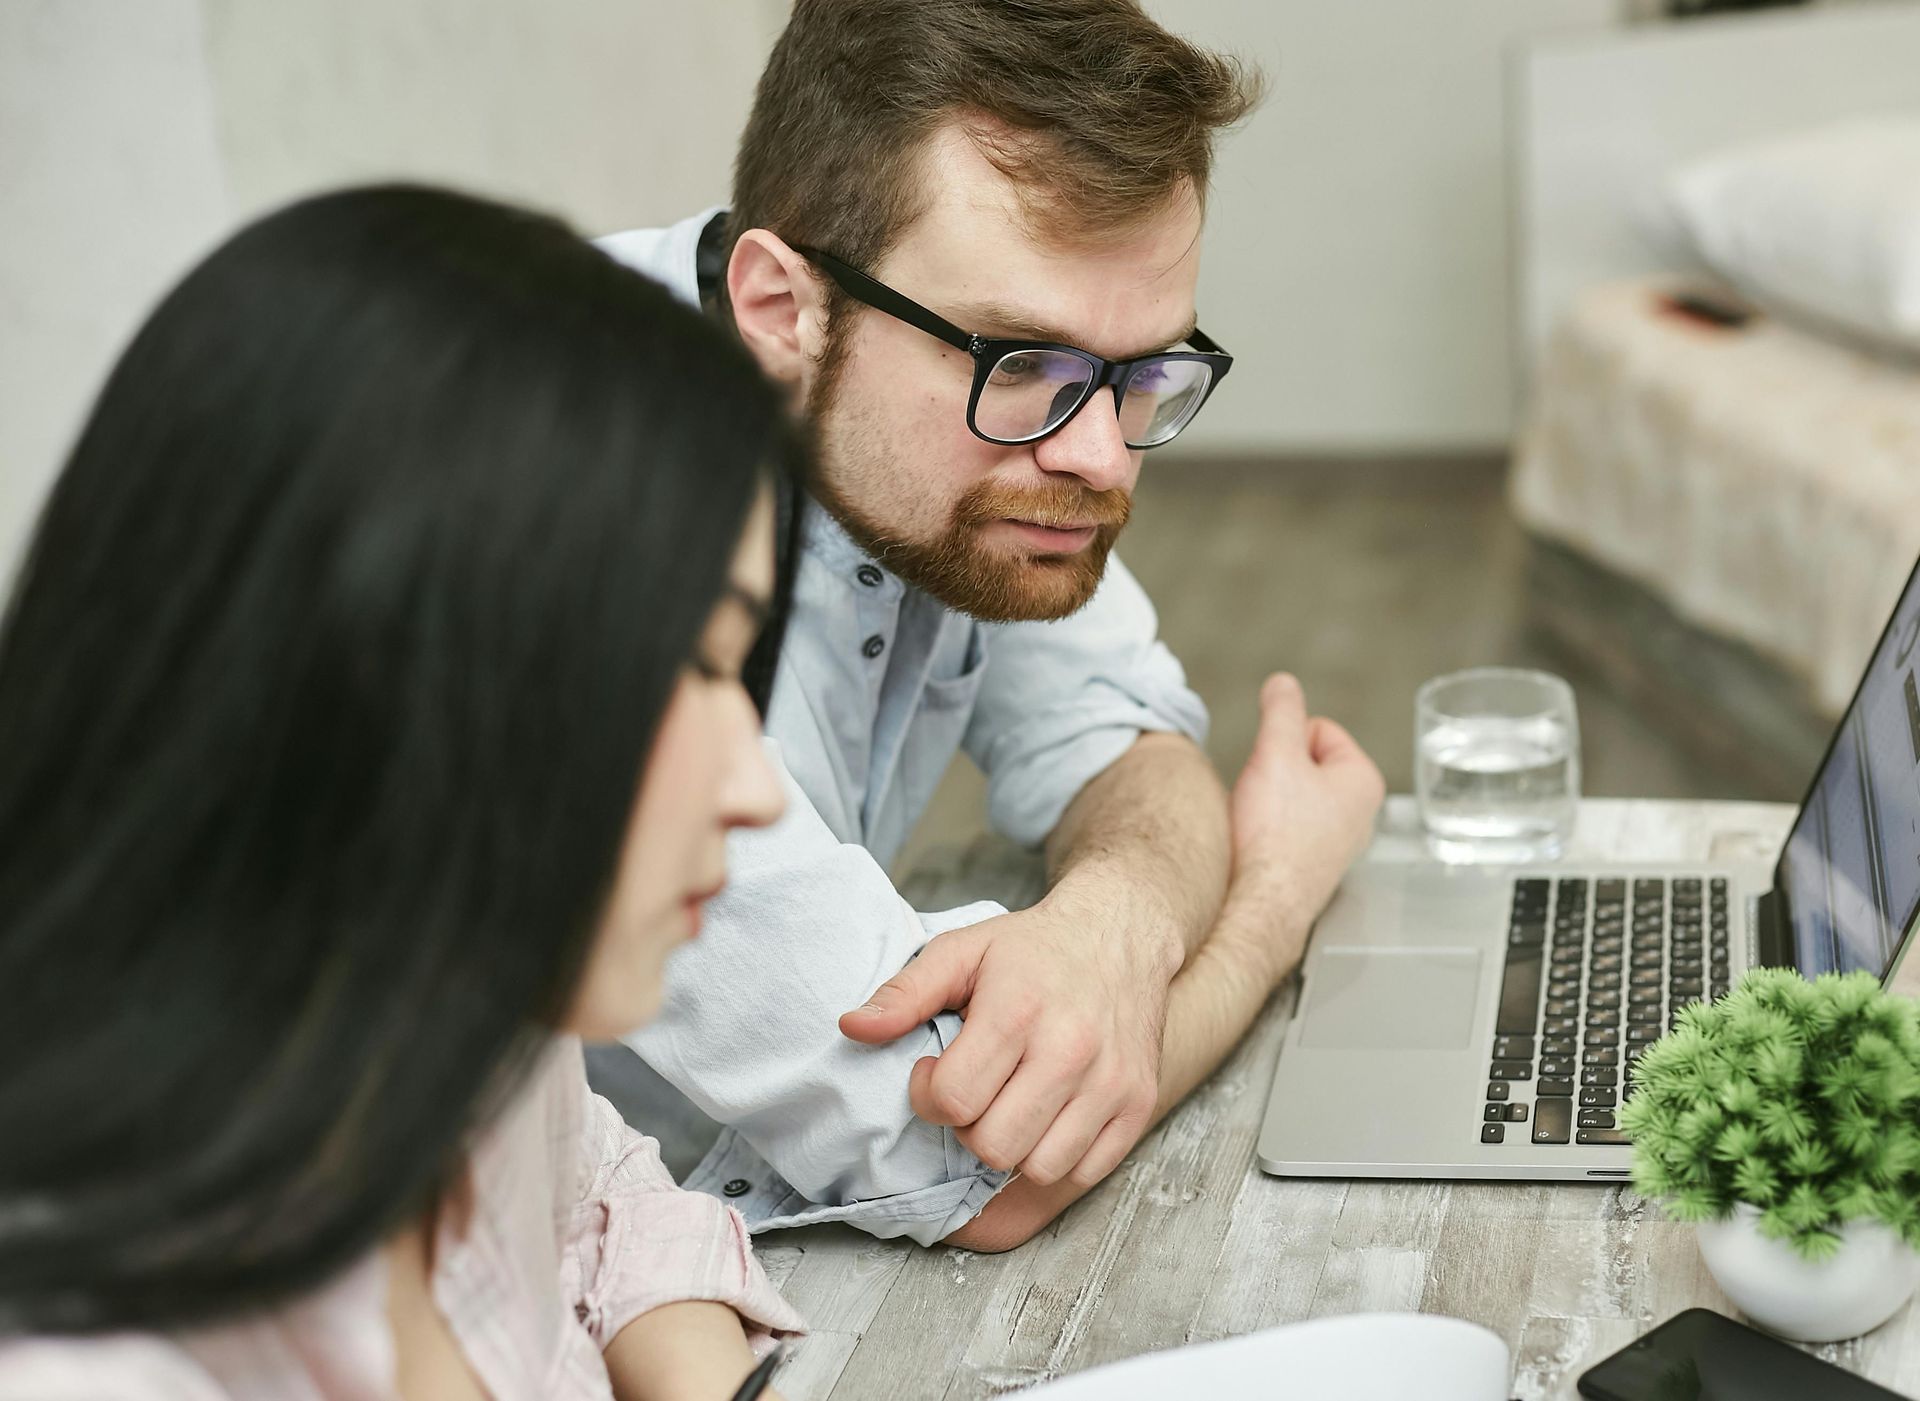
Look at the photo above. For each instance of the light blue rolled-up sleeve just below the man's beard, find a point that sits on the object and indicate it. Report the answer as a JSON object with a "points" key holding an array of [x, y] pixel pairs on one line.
{"points": [[1061, 701]]}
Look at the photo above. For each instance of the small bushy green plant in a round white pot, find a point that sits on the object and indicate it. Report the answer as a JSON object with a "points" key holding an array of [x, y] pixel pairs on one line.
{"points": [[1785, 1120]]}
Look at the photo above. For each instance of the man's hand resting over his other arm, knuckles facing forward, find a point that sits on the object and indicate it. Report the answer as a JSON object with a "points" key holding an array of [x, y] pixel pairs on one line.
{"points": [[1059, 1066]]}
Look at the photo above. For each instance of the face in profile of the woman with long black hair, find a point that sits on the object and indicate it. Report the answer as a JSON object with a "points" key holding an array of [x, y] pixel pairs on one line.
{"points": [[706, 776]]}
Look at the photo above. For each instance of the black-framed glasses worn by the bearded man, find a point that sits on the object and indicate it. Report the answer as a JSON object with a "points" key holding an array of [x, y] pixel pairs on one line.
{"points": [[1030, 389]]}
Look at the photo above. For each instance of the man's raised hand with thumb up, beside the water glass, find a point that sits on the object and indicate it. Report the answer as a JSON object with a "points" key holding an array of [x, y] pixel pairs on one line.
{"points": [[1303, 811]]}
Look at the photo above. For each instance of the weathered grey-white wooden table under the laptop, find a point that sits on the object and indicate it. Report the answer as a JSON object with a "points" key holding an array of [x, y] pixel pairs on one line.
{"points": [[1189, 1241]]}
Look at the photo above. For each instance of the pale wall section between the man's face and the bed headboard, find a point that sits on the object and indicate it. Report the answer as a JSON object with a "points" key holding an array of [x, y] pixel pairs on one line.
{"points": [[1356, 256]]}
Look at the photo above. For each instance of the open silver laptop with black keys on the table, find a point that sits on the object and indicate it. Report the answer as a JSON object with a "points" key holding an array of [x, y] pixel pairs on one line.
{"points": [[1483, 1022]]}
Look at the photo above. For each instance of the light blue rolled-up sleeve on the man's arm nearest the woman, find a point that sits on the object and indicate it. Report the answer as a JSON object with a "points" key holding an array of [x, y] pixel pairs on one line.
{"points": [[819, 1128]]}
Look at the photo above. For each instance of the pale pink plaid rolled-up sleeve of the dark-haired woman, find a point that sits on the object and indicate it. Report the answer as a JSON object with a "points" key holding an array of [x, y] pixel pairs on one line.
{"points": [[638, 1243]]}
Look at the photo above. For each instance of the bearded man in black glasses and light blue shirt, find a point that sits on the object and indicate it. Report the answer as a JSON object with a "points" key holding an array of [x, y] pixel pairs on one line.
{"points": [[967, 237]]}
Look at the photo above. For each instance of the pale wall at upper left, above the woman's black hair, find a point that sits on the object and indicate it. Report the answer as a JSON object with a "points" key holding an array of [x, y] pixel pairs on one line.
{"points": [[135, 133]]}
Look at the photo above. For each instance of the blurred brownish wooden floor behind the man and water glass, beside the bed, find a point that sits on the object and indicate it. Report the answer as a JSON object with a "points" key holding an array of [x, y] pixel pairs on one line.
{"points": [[1364, 582]]}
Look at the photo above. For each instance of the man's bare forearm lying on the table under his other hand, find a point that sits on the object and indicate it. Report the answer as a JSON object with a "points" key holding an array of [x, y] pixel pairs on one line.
{"points": [[1212, 1005]]}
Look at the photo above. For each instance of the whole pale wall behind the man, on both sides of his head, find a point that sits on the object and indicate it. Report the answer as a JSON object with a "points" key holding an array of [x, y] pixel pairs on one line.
{"points": [[1356, 254]]}
